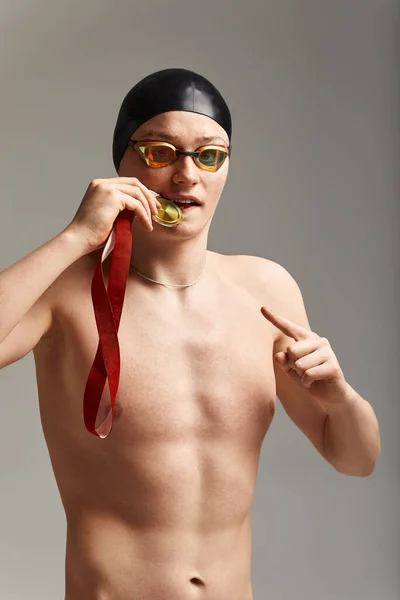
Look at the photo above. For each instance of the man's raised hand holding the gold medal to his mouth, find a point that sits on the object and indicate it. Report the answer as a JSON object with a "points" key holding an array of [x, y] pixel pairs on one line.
{"points": [[104, 200]]}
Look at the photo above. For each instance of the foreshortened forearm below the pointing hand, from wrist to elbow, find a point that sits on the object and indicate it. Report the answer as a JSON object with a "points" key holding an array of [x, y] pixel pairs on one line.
{"points": [[351, 436]]}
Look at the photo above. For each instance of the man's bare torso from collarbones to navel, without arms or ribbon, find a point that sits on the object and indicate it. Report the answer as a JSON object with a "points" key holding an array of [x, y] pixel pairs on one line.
{"points": [[166, 497]]}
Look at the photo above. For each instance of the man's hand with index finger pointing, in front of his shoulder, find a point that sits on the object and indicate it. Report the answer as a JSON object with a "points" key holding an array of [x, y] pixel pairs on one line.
{"points": [[310, 362]]}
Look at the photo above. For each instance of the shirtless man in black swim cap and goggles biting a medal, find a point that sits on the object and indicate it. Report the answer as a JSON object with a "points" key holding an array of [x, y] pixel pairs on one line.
{"points": [[160, 509]]}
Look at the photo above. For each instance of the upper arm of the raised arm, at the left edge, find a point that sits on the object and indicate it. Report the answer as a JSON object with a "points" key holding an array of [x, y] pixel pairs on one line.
{"points": [[27, 333]]}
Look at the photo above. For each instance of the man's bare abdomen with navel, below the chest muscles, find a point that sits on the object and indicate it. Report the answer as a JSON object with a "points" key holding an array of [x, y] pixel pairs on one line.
{"points": [[173, 524]]}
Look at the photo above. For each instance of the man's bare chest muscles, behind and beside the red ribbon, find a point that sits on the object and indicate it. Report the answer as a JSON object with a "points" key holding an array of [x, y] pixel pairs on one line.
{"points": [[197, 370]]}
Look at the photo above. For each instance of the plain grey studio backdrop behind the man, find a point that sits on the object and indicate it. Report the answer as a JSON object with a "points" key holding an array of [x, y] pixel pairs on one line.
{"points": [[314, 91]]}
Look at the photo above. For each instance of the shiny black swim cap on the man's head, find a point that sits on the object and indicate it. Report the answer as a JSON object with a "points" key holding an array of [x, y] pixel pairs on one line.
{"points": [[164, 91]]}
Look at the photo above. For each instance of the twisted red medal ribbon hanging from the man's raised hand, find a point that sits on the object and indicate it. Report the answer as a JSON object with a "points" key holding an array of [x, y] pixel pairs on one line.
{"points": [[107, 304]]}
